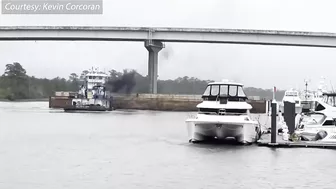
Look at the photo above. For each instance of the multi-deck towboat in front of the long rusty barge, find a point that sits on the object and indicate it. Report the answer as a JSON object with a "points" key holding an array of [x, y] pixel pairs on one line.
{"points": [[92, 96]]}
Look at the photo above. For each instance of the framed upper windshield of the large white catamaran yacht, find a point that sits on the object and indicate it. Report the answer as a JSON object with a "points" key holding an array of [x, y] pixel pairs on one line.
{"points": [[224, 90]]}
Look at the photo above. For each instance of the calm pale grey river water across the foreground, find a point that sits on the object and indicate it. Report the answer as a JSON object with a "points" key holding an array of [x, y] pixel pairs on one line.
{"points": [[40, 148]]}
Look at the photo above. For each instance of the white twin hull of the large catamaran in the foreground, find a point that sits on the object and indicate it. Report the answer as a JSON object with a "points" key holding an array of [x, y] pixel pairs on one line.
{"points": [[243, 132]]}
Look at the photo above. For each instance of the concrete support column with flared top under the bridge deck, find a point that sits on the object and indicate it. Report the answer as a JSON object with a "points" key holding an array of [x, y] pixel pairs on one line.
{"points": [[153, 47]]}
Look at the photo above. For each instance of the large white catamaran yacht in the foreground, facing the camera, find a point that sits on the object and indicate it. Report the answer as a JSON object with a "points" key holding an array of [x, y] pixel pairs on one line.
{"points": [[223, 113]]}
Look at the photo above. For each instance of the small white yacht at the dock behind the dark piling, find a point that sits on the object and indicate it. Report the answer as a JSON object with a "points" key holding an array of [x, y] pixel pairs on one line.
{"points": [[291, 95]]}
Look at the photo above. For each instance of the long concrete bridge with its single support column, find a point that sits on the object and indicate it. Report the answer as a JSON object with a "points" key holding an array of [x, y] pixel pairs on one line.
{"points": [[153, 38]]}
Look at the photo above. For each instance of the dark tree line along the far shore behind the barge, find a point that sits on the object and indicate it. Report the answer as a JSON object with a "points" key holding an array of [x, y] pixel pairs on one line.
{"points": [[15, 84]]}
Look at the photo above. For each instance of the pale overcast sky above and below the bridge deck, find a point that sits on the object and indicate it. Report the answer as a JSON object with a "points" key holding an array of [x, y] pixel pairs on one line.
{"points": [[252, 65]]}
